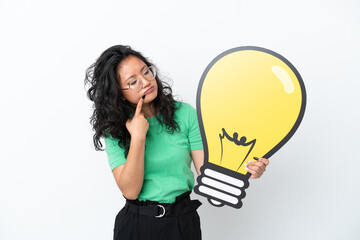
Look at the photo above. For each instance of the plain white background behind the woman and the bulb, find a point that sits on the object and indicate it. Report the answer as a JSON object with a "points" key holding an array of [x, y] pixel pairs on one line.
{"points": [[54, 185]]}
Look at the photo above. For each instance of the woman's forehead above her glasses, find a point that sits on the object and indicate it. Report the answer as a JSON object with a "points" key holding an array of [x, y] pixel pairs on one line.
{"points": [[129, 66]]}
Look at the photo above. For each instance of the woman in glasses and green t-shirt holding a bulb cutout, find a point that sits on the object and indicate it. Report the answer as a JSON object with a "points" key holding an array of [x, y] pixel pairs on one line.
{"points": [[150, 141]]}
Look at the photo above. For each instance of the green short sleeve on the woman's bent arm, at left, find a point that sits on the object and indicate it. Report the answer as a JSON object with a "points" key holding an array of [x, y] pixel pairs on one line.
{"points": [[116, 156]]}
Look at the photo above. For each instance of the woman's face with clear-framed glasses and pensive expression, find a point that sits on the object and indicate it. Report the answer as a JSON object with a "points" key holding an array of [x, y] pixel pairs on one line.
{"points": [[130, 70]]}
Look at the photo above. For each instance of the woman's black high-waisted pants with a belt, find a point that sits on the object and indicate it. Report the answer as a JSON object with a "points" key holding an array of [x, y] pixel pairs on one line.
{"points": [[149, 220]]}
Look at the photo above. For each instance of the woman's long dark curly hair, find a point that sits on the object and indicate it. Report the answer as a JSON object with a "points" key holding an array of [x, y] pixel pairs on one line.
{"points": [[110, 111]]}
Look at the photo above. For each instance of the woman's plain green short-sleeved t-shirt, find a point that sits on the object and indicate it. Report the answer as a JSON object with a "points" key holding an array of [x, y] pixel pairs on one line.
{"points": [[167, 172]]}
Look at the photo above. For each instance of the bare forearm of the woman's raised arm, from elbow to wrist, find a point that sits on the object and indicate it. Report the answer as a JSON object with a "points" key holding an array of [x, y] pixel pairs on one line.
{"points": [[131, 178]]}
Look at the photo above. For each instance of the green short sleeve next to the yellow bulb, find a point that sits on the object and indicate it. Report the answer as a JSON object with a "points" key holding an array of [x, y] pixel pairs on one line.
{"points": [[194, 131]]}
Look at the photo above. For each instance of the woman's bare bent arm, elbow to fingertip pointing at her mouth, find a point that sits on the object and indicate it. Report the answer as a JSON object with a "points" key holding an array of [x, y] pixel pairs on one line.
{"points": [[130, 176]]}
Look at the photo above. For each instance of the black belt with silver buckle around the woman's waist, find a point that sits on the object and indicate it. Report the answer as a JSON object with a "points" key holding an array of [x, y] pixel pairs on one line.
{"points": [[182, 205]]}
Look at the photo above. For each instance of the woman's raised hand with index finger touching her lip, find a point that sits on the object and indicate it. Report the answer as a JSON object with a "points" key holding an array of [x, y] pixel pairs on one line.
{"points": [[138, 125]]}
